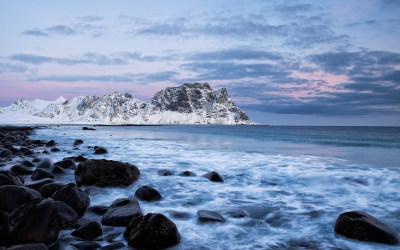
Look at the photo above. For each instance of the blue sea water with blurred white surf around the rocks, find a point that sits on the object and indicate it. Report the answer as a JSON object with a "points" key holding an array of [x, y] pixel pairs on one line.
{"points": [[292, 182]]}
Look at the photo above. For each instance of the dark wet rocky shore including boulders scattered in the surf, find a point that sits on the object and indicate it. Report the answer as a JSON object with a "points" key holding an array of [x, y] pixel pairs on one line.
{"points": [[38, 213]]}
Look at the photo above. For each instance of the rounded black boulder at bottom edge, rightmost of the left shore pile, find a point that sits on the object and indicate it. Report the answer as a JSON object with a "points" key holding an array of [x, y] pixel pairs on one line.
{"points": [[153, 231]]}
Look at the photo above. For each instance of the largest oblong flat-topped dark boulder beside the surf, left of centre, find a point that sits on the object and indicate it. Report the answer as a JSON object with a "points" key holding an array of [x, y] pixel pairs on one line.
{"points": [[106, 173]]}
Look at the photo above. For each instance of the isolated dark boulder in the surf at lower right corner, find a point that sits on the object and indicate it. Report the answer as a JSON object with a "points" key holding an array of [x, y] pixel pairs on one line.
{"points": [[362, 226]]}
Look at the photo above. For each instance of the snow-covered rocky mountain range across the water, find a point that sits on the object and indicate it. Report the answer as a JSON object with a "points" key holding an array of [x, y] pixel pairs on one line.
{"points": [[188, 104]]}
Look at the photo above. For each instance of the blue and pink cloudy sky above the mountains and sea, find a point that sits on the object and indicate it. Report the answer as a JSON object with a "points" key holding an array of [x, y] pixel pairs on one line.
{"points": [[283, 62]]}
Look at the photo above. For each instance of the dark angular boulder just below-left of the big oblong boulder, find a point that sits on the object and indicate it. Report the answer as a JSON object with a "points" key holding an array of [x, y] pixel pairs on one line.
{"points": [[73, 196]]}
